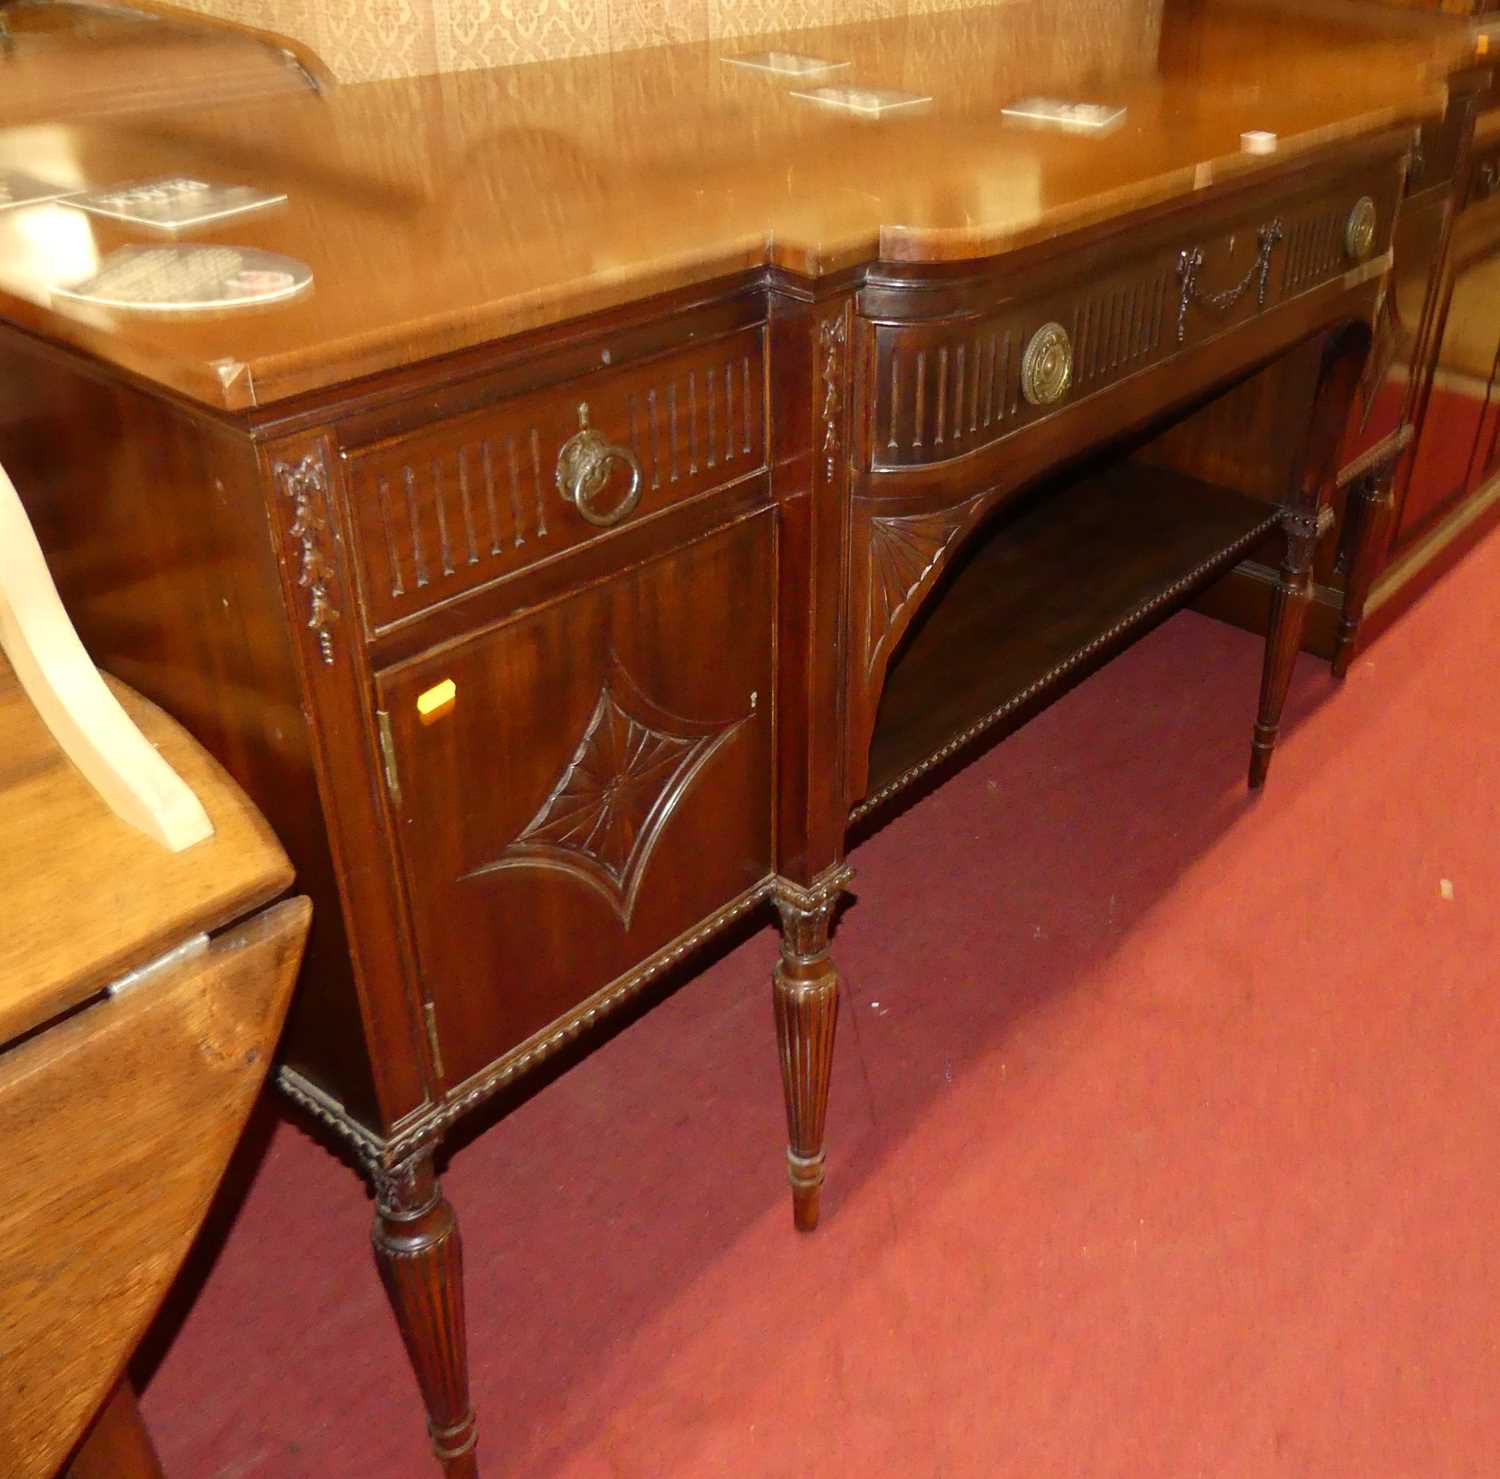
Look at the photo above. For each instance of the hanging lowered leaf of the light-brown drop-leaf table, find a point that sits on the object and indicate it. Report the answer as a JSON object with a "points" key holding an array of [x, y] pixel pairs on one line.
{"points": [[119, 1124]]}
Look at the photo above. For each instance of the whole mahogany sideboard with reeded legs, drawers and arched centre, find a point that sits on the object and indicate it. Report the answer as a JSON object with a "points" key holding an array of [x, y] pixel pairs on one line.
{"points": [[667, 473]]}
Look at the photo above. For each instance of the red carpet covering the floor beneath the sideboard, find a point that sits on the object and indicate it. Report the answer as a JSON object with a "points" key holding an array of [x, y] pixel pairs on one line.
{"points": [[1166, 1141]]}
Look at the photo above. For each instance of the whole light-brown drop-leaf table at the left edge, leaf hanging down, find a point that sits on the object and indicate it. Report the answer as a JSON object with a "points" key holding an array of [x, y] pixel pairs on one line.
{"points": [[121, 1114]]}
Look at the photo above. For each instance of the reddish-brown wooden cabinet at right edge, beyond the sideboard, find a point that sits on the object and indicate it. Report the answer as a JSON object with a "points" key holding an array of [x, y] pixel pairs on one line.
{"points": [[1438, 373]]}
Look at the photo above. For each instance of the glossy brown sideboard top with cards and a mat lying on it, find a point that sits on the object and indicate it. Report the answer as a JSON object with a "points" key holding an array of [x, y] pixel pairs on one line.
{"points": [[445, 212]]}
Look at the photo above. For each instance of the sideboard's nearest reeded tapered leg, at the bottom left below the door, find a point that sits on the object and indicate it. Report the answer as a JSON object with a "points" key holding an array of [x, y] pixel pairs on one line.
{"points": [[422, 1267]]}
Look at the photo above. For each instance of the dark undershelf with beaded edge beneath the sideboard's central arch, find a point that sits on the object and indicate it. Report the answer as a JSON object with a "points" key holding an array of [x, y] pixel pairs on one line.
{"points": [[1043, 599]]}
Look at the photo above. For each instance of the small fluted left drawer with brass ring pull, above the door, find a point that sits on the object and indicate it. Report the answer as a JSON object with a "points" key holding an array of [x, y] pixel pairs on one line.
{"points": [[482, 497]]}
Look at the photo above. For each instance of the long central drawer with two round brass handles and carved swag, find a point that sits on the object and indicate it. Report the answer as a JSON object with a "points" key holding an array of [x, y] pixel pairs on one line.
{"points": [[956, 365]]}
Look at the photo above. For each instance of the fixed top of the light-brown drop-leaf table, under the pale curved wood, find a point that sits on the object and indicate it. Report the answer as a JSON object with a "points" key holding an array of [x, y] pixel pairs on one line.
{"points": [[89, 898]]}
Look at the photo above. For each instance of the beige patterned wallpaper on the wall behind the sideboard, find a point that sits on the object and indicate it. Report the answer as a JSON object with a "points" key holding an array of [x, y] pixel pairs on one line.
{"points": [[365, 40]]}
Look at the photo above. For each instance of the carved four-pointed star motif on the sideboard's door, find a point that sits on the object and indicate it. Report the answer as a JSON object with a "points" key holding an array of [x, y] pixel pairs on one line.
{"points": [[607, 811]]}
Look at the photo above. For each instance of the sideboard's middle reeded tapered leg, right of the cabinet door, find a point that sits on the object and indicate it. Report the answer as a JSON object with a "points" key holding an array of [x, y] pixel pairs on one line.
{"points": [[806, 1000]]}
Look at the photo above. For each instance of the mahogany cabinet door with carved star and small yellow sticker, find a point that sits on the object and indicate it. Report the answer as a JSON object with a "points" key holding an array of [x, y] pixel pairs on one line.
{"points": [[581, 785]]}
